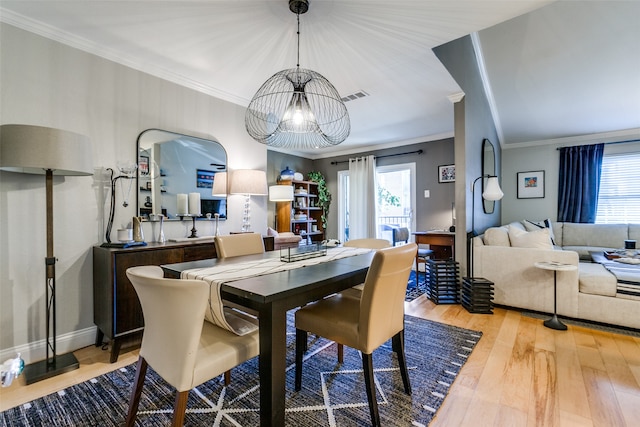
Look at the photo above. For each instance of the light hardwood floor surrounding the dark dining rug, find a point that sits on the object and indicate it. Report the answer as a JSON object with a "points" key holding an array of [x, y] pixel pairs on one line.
{"points": [[519, 374]]}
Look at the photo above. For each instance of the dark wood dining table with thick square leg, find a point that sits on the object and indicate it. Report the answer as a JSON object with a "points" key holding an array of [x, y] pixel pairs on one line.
{"points": [[272, 295]]}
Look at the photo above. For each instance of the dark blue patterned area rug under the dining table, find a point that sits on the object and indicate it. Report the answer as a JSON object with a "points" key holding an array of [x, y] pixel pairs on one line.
{"points": [[332, 394]]}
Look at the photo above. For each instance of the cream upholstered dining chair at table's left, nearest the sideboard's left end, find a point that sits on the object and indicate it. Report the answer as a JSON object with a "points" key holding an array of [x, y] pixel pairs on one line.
{"points": [[177, 342]]}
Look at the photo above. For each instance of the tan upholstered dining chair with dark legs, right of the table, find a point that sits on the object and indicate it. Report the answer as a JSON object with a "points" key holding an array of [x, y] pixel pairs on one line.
{"points": [[365, 323]]}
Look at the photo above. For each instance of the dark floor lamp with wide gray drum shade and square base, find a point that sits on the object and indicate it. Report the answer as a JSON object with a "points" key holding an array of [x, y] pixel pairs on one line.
{"points": [[46, 151]]}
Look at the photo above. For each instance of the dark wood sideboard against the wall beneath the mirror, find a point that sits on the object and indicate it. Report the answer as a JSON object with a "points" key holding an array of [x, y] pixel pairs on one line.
{"points": [[116, 308]]}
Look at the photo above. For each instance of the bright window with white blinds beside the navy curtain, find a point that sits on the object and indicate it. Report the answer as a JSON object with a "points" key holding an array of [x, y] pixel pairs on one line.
{"points": [[619, 198]]}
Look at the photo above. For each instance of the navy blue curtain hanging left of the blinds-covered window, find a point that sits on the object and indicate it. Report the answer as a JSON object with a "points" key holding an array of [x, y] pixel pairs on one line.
{"points": [[579, 183]]}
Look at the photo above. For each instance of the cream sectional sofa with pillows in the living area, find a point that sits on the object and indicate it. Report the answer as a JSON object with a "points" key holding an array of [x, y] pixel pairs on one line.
{"points": [[590, 292]]}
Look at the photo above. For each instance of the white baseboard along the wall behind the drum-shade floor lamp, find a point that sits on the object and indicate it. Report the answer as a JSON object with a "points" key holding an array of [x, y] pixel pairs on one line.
{"points": [[36, 351]]}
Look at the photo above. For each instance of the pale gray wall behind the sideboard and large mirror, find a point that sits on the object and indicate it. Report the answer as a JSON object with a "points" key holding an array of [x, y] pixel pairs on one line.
{"points": [[46, 83]]}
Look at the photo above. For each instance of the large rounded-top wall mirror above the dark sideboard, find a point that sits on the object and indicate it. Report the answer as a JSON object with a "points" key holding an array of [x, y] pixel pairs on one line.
{"points": [[171, 164]]}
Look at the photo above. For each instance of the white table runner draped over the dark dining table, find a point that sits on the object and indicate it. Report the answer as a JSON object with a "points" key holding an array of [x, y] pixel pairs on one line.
{"points": [[237, 322]]}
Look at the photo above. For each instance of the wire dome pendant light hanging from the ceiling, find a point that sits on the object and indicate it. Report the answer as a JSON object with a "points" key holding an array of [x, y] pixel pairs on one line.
{"points": [[297, 108]]}
